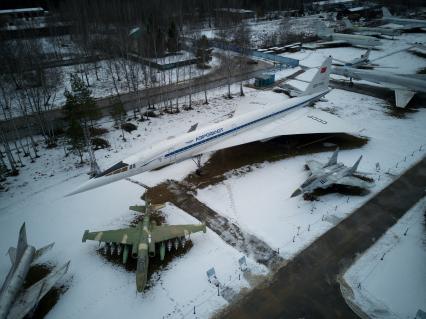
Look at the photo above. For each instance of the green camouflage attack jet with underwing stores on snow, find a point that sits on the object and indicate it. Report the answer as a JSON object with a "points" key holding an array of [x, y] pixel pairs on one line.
{"points": [[140, 241]]}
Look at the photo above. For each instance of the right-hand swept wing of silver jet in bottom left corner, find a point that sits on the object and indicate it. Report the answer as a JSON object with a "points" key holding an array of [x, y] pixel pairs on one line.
{"points": [[30, 297]]}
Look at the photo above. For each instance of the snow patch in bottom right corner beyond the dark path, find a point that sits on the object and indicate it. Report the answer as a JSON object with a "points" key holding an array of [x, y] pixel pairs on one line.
{"points": [[388, 280]]}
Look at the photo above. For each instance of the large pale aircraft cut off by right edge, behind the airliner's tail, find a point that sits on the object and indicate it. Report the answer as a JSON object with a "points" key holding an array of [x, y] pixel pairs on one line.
{"points": [[404, 85]]}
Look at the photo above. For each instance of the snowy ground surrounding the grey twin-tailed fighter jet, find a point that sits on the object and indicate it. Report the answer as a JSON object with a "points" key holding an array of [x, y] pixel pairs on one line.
{"points": [[276, 218]]}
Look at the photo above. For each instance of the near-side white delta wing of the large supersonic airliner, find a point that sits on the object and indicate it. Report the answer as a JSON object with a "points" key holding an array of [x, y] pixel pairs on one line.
{"points": [[302, 121]]}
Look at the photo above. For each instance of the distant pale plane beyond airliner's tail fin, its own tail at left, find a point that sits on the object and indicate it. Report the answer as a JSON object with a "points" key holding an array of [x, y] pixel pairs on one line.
{"points": [[334, 38]]}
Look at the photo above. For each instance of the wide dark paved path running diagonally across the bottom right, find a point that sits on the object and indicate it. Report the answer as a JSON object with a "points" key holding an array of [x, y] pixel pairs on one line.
{"points": [[307, 286]]}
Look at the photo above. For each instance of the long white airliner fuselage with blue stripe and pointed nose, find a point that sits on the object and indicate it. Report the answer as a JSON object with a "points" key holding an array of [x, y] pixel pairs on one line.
{"points": [[193, 143]]}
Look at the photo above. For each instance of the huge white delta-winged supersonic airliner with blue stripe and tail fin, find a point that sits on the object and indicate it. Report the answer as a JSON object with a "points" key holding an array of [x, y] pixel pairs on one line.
{"points": [[253, 123]]}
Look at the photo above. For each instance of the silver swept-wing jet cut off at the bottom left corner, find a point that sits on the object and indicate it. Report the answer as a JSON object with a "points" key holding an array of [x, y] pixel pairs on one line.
{"points": [[16, 302]]}
